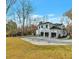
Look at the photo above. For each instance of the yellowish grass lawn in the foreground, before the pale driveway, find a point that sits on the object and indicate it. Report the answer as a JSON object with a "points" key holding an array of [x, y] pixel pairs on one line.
{"points": [[19, 49]]}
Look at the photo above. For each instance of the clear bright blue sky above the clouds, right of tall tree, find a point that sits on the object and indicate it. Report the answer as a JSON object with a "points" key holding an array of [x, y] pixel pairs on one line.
{"points": [[57, 7]]}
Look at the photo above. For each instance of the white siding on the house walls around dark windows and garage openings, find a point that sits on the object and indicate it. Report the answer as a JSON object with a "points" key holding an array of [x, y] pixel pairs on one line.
{"points": [[44, 29]]}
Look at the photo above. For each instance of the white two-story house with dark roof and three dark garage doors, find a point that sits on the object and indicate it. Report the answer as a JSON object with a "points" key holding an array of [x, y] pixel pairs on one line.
{"points": [[48, 29]]}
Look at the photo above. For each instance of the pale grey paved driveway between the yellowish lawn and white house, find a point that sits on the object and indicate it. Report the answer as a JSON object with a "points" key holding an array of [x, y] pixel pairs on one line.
{"points": [[47, 41]]}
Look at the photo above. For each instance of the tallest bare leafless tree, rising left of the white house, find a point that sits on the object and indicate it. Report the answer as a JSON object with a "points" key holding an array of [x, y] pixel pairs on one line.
{"points": [[24, 12]]}
